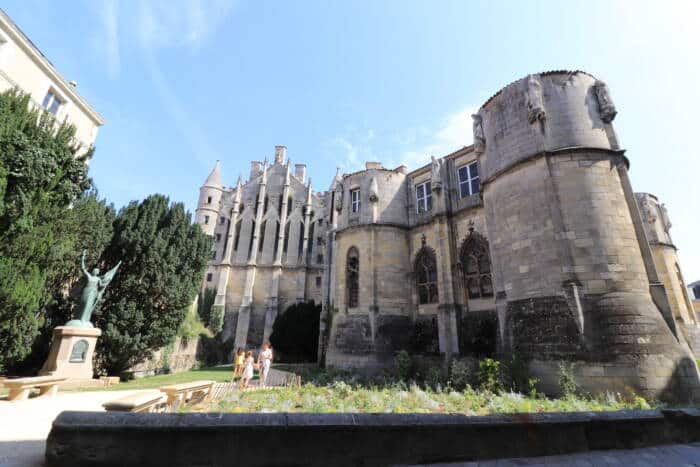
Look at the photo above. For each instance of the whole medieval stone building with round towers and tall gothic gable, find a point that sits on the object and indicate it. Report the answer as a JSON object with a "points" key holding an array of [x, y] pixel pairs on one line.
{"points": [[530, 242]]}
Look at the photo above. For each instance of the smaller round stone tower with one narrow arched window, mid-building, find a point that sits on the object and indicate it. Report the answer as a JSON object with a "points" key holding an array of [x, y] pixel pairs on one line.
{"points": [[369, 313]]}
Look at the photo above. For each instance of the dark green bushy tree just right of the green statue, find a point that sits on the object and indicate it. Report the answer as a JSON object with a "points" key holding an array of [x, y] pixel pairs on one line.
{"points": [[163, 259]]}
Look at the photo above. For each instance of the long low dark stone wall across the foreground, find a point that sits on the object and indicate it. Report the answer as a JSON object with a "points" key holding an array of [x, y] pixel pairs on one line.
{"points": [[125, 439]]}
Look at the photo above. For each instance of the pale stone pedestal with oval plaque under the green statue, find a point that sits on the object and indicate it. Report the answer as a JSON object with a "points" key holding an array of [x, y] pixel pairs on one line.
{"points": [[71, 352]]}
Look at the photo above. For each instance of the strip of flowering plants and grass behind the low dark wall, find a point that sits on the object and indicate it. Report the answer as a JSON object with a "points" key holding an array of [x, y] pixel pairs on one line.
{"points": [[342, 397]]}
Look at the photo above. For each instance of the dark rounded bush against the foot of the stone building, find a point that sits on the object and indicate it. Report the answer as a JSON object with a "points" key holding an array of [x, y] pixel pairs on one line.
{"points": [[295, 332]]}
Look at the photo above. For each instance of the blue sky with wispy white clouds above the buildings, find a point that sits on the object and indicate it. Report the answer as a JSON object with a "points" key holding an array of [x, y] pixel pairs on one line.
{"points": [[182, 83]]}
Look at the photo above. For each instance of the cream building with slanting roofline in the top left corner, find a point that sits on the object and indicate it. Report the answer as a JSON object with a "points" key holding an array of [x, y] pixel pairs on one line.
{"points": [[23, 66]]}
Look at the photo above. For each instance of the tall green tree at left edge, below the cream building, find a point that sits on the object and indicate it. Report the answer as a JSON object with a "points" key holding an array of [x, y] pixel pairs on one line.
{"points": [[42, 172]]}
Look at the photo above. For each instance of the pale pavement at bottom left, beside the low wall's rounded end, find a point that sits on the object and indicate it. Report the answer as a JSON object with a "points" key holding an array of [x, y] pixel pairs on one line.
{"points": [[24, 425]]}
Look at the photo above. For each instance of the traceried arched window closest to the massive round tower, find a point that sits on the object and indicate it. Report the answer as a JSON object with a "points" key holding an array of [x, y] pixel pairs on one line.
{"points": [[476, 266]]}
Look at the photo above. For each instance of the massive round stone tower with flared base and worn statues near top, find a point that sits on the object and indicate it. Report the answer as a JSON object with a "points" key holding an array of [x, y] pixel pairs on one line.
{"points": [[569, 273]]}
